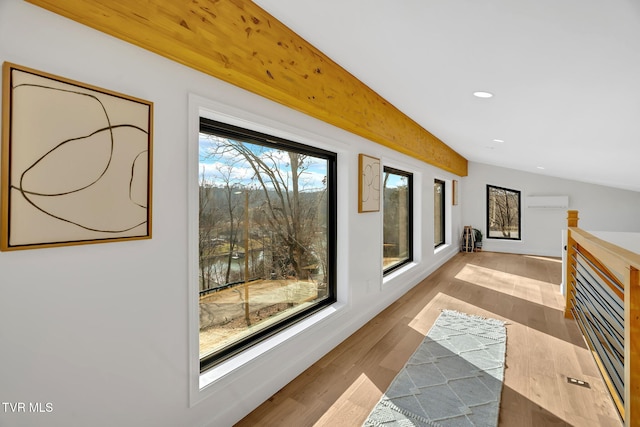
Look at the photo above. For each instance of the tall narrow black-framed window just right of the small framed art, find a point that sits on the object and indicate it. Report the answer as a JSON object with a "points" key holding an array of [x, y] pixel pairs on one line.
{"points": [[398, 219]]}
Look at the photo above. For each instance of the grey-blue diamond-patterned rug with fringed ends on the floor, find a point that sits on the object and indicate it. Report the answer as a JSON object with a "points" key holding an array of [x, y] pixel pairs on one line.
{"points": [[453, 379]]}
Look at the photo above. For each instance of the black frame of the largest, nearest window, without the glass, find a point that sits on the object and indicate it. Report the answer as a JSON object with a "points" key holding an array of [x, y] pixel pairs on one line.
{"points": [[207, 125]]}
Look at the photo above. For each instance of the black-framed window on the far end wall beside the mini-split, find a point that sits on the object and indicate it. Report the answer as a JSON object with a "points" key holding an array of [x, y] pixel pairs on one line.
{"points": [[503, 213]]}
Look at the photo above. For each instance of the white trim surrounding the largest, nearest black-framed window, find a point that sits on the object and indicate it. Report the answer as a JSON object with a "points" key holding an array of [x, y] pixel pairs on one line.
{"points": [[201, 385]]}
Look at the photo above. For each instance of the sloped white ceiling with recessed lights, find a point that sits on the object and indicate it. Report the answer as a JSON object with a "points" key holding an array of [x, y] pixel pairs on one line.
{"points": [[565, 75]]}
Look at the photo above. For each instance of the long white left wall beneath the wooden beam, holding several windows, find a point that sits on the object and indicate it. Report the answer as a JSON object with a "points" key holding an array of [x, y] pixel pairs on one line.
{"points": [[101, 331]]}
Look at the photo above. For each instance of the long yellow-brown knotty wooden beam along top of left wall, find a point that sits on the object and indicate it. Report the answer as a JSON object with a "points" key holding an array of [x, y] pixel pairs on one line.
{"points": [[240, 43]]}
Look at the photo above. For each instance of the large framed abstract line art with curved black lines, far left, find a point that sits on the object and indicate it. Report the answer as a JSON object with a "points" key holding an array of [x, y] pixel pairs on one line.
{"points": [[76, 162]]}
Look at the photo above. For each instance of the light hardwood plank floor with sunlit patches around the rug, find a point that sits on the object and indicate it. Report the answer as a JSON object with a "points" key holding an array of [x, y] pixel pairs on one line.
{"points": [[543, 349]]}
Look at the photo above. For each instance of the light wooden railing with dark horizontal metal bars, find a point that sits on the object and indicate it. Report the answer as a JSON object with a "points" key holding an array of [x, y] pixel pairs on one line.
{"points": [[603, 296]]}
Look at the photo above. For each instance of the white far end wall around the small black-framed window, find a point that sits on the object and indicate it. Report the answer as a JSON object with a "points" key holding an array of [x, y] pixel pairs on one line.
{"points": [[600, 208]]}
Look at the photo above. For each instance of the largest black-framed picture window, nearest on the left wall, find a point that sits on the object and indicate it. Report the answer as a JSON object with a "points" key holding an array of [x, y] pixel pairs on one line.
{"points": [[267, 233]]}
